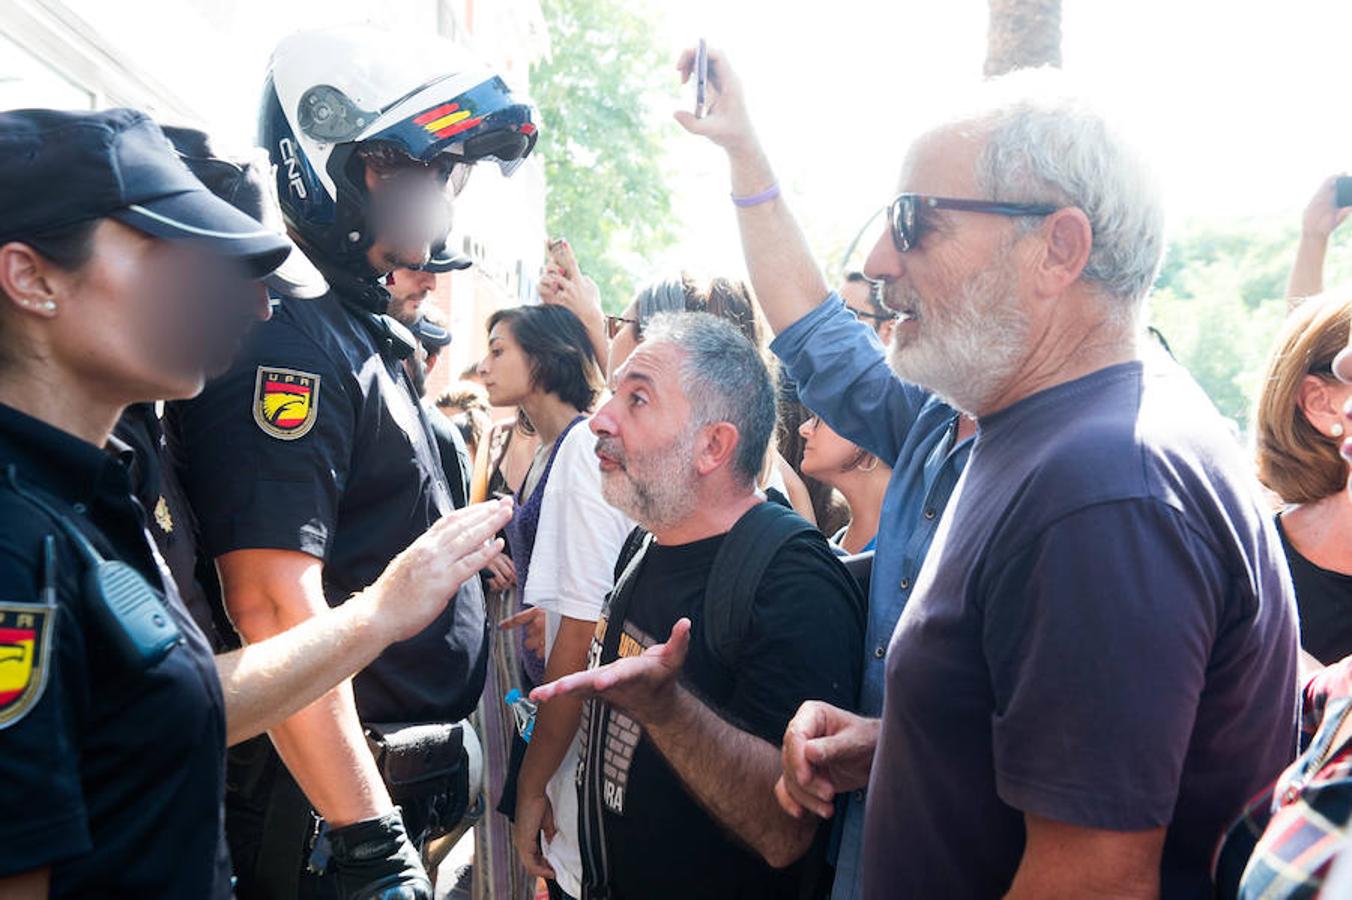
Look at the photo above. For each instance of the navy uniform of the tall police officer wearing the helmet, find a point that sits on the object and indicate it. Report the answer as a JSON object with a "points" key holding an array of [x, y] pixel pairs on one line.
{"points": [[314, 443]]}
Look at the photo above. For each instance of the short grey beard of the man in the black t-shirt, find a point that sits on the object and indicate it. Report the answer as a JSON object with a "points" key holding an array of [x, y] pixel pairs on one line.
{"points": [[656, 490]]}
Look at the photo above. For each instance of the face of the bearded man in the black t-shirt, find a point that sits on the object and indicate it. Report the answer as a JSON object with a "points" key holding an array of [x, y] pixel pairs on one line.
{"points": [[646, 444]]}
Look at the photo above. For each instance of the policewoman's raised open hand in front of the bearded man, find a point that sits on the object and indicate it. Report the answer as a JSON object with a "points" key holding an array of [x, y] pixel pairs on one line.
{"points": [[418, 584]]}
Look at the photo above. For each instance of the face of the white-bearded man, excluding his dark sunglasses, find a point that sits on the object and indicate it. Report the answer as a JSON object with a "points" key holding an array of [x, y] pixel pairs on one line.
{"points": [[963, 329]]}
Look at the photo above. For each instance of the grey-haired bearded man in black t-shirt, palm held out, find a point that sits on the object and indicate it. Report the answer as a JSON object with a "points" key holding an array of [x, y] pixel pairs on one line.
{"points": [[681, 744]]}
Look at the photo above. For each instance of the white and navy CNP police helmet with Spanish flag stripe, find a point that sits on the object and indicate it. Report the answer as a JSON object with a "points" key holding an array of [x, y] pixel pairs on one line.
{"points": [[337, 101]]}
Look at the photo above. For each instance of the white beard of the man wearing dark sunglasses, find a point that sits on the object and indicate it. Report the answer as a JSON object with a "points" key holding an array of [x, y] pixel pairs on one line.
{"points": [[967, 353]]}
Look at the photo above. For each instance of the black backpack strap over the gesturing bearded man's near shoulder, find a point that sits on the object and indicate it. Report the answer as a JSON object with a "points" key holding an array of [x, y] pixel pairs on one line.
{"points": [[738, 572]]}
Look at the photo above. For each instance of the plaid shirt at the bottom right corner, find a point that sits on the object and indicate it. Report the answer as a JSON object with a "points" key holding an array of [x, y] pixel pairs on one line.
{"points": [[1290, 834]]}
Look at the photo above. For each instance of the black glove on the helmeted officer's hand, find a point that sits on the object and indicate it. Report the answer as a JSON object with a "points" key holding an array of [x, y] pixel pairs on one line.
{"points": [[374, 860]]}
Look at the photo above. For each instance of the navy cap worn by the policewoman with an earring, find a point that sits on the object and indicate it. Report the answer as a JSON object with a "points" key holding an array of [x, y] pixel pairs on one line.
{"points": [[62, 168]]}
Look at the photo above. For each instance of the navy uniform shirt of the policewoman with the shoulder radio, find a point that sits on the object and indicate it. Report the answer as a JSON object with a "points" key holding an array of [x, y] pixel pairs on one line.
{"points": [[112, 778]]}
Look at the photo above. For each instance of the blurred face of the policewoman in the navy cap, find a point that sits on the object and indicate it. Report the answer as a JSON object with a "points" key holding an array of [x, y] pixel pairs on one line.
{"points": [[149, 320]]}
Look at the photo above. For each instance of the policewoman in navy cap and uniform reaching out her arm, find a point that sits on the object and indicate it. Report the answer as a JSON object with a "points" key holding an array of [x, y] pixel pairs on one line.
{"points": [[120, 276]]}
